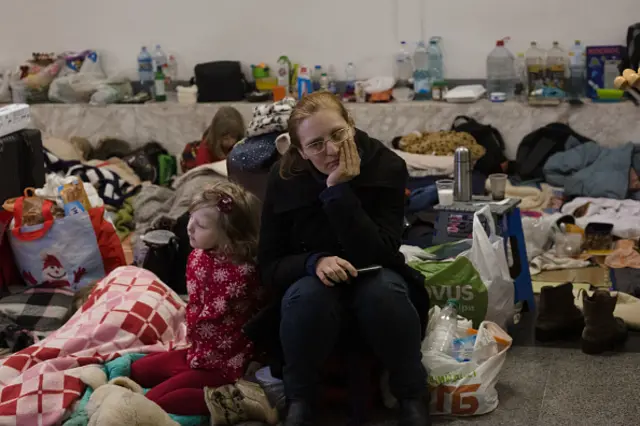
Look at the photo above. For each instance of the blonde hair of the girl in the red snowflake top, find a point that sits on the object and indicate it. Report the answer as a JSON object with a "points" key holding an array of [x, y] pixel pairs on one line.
{"points": [[239, 217]]}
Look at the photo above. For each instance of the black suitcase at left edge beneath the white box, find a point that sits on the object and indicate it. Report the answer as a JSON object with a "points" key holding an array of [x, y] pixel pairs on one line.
{"points": [[21, 163]]}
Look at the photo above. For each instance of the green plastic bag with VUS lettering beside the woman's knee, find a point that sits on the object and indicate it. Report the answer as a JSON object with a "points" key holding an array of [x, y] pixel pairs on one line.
{"points": [[459, 280]]}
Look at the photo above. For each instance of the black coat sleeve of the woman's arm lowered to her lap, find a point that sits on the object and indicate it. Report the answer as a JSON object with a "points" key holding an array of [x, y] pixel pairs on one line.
{"points": [[278, 267]]}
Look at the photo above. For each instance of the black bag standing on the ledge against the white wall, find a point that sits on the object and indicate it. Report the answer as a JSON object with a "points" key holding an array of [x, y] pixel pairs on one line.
{"points": [[220, 81]]}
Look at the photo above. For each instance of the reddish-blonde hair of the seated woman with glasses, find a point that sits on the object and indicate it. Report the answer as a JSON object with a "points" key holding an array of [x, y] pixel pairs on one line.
{"points": [[292, 163]]}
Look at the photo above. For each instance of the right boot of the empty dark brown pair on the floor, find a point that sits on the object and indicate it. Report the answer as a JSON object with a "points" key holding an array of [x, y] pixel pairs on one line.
{"points": [[602, 331]]}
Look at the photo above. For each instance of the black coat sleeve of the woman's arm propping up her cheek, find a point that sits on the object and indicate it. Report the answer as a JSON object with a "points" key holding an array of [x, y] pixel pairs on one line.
{"points": [[373, 236]]}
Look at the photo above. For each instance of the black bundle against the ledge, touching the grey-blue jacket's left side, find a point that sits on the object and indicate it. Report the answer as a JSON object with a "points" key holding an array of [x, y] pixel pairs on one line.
{"points": [[536, 148]]}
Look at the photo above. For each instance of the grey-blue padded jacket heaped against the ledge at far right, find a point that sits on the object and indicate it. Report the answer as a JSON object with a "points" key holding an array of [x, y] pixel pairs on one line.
{"points": [[592, 170]]}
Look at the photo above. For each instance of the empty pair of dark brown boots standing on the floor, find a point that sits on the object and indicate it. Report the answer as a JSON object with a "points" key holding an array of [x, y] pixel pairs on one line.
{"points": [[559, 319]]}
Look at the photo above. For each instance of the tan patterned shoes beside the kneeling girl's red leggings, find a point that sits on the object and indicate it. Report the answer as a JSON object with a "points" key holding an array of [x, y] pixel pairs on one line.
{"points": [[238, 403]]}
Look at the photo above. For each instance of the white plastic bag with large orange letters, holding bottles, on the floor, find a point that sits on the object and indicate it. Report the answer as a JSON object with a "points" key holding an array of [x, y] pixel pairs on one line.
{"points": [[468, 388]]}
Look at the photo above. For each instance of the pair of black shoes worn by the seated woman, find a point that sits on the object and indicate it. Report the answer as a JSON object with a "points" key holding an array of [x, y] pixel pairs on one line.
{"points": [[412, 412]]}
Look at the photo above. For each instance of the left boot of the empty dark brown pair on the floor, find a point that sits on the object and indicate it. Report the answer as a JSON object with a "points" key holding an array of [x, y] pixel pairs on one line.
{"points": [[558, 316]]}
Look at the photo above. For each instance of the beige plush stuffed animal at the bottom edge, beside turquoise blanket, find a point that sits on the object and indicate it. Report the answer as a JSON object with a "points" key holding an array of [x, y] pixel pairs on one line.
{"points": [[120, 402]]}
